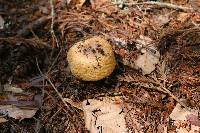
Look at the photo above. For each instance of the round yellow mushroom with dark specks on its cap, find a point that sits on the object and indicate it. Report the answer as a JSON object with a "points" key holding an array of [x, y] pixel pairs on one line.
{"points": [[92, 59]]}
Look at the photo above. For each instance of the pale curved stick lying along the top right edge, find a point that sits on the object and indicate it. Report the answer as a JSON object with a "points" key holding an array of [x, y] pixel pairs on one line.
{"points": [[162, 4]]}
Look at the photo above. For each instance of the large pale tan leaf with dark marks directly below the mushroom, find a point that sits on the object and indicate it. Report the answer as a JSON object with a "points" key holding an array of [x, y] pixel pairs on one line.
{"points": [[103, 116]]}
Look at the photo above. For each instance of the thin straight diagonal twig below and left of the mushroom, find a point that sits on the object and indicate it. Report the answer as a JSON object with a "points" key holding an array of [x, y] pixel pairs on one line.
{"points": [[46, 77]]}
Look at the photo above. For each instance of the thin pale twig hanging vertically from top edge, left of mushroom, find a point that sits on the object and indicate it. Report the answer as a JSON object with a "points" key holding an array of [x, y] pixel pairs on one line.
{"points": [[52, 23]]}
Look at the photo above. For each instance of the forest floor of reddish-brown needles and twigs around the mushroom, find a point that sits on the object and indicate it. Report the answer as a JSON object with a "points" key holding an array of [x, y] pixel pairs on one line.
{"points": [[36, 34]]}
